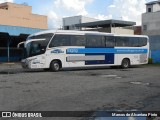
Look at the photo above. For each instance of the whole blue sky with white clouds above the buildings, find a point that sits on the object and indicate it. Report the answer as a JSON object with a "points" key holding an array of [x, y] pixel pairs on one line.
{"points": [[129, 10]]}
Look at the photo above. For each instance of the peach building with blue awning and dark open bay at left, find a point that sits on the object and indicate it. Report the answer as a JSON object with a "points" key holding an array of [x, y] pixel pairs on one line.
{"points": [[16, 23]]}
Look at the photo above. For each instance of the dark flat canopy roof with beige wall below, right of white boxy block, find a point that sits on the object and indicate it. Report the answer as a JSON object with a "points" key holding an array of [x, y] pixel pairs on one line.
{"points": [[109, 26]]}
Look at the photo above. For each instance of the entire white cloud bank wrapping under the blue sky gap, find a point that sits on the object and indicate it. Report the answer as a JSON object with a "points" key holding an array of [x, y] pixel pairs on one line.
{"points": [[119, 9]]}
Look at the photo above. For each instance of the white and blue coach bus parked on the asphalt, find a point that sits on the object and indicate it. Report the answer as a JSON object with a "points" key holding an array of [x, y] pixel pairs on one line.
{"points": [[53, 50]]}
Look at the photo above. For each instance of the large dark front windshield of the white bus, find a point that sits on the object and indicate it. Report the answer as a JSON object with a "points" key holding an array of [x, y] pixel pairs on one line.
{"points": [[37, 44]]}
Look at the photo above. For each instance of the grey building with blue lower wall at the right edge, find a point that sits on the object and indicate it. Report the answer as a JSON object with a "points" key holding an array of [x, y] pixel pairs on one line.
{"points": [[151, 27]]}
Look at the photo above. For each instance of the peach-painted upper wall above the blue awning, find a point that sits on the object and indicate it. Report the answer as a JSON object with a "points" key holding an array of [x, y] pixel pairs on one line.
{"points": [[20, 15]]}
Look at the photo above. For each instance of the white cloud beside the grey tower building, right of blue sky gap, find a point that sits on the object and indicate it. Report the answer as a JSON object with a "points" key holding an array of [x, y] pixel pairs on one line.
{"points": [[127, 10]]}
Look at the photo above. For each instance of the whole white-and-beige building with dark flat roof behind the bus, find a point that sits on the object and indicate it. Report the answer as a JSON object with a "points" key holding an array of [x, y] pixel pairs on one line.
{"points": [[91, 24]]}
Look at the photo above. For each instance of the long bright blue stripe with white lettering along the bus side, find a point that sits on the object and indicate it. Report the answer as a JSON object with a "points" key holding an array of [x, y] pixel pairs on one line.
{"points": [[105, 50]]}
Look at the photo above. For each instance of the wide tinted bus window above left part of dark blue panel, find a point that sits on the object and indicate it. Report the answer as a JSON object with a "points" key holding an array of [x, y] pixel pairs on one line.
{"points": [[95, 41]]}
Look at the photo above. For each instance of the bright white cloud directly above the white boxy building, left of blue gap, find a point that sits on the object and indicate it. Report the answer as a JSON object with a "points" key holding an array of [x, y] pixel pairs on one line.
{"points": [[61, 8]]}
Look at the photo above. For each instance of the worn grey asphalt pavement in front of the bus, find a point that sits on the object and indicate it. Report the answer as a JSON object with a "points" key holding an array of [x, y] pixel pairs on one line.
{"points": [[90, 89]]}
